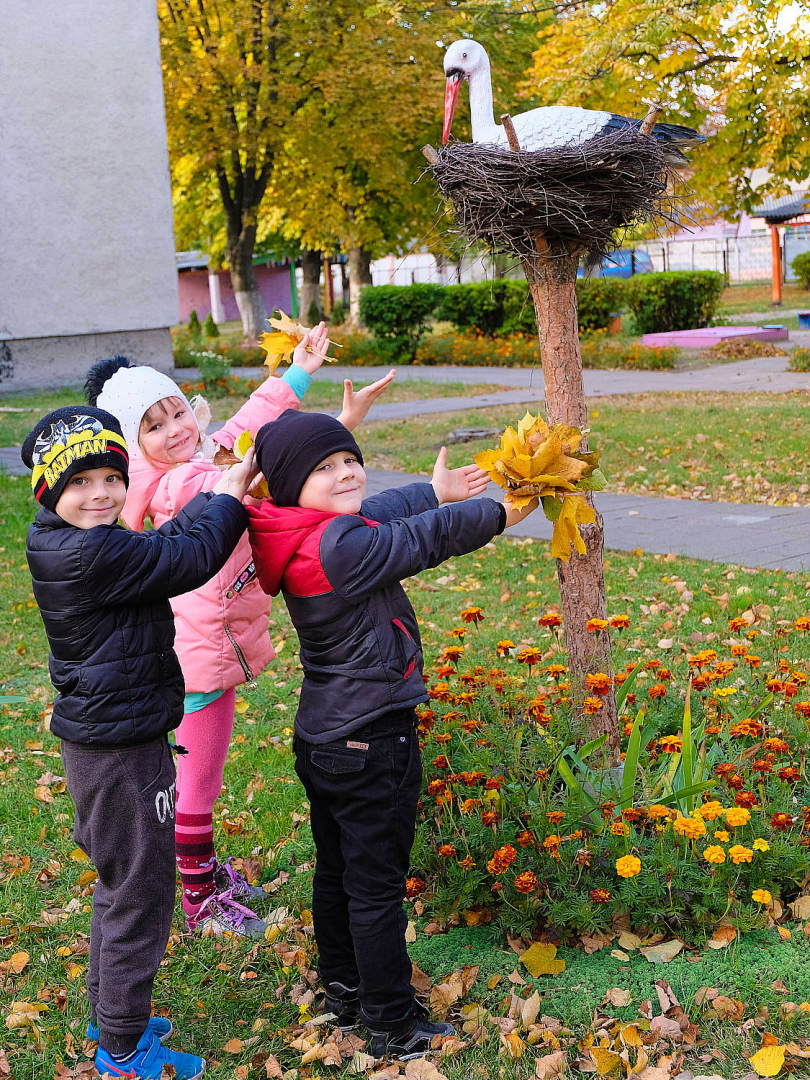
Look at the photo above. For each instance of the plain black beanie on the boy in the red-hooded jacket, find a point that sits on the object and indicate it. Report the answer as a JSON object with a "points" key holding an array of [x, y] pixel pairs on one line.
{"points": [[288, 450]]}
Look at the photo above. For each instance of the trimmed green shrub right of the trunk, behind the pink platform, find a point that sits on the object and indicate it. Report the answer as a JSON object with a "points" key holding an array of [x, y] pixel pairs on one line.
{"points": [[677, 301]]}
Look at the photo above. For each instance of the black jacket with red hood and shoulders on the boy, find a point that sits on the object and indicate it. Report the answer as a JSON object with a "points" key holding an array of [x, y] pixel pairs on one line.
{"points": [[340, 575]]}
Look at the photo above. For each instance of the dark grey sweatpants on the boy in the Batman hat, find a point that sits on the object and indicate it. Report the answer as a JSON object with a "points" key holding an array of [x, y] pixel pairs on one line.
{"points": [[125, 821]]}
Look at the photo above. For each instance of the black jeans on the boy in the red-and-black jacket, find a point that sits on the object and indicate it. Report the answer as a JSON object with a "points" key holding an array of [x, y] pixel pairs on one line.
{"points": [[363, 791]]}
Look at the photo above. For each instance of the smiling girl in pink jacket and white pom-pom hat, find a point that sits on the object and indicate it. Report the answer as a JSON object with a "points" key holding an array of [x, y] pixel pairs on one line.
{"points": [[222, 629]]}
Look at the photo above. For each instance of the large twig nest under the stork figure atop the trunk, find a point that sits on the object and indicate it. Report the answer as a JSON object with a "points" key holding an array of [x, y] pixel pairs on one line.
{"points": [[576, 197]]}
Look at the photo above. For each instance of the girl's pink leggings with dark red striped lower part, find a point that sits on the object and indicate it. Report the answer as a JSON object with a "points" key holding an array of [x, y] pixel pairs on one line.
{"points": [[207, 736]]}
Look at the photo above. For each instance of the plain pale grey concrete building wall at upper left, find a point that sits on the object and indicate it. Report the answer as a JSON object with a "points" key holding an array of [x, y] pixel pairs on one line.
{"points": [[86, 208]]}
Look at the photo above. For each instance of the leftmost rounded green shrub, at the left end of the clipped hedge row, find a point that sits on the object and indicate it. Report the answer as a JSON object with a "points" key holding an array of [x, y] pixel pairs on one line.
{"points": [[398, 316]]}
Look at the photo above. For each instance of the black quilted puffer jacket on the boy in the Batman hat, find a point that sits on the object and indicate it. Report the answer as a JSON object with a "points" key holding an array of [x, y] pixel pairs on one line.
{"points": [[103, 595]]}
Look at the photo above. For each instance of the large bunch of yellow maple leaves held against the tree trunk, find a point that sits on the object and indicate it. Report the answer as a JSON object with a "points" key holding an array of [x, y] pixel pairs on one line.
{"points": [[538, 462]]}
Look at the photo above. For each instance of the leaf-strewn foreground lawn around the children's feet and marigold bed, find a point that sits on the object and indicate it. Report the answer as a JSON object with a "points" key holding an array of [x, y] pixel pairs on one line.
{"points": [[234, 1002]]}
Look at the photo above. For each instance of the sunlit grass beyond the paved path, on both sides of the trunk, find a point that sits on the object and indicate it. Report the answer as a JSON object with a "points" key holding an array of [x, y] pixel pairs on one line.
{"points": [[734, 448]]}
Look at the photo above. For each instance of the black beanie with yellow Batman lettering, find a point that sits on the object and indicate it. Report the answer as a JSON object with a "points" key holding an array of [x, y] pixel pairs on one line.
{"points": [[70, 441]]}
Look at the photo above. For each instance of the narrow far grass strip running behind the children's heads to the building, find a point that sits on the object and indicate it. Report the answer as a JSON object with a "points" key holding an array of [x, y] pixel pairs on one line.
{"points": [[20, 412]]}
